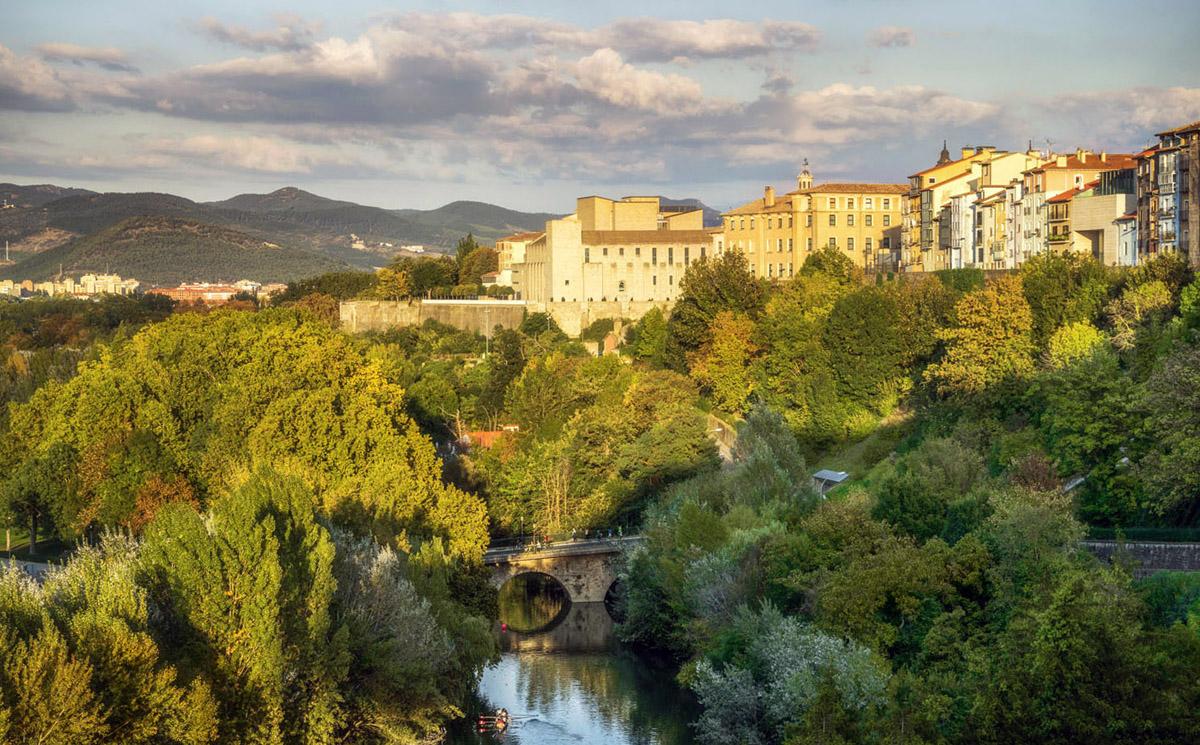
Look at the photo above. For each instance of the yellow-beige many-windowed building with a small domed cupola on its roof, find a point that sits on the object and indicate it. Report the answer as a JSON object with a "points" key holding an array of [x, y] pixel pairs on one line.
{"points": [[777, 235]]}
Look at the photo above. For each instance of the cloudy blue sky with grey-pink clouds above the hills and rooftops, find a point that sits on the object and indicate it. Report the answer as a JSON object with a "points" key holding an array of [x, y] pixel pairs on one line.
{"points": [[530, 104]]}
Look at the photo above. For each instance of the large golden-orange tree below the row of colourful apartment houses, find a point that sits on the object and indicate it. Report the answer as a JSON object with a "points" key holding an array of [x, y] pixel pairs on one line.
{"points": [[989, 343]]}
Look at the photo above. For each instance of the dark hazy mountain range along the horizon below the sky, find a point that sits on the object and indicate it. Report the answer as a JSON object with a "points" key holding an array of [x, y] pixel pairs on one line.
{"points": [[287, 235]]}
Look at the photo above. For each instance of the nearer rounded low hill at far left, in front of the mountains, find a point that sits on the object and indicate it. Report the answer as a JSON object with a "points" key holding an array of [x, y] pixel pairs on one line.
{"points": [[169, 251]]}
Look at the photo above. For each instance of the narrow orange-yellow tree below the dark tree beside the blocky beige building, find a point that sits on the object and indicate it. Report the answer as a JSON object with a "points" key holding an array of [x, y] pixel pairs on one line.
{"points": [[723, 365]]}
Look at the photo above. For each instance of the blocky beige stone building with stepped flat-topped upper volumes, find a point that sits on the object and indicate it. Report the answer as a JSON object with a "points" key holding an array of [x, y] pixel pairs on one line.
{"points": [[631, 250]]}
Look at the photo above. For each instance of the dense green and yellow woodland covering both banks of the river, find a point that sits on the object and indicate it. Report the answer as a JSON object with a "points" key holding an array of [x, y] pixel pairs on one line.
{"points": [[260, 500]]}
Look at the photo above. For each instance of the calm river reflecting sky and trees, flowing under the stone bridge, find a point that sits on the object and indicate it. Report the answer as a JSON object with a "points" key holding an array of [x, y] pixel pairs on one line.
{"points": [[566, 678]]}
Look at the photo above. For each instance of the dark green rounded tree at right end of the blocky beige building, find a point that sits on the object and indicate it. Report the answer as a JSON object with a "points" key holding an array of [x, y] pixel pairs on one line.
{"points": [[709, 287]]}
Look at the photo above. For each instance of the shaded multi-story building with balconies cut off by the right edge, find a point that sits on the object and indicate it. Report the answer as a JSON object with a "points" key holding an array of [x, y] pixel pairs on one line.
{"points": [[1169, 195]]}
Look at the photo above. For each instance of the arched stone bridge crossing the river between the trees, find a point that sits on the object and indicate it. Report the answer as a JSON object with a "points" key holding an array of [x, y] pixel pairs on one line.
{"points": [[587, 569]]}
